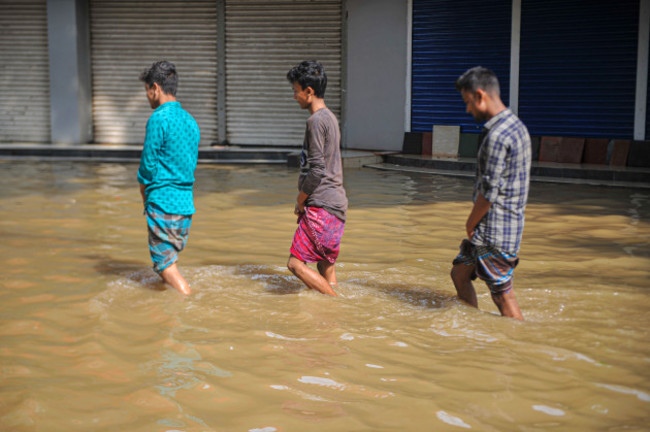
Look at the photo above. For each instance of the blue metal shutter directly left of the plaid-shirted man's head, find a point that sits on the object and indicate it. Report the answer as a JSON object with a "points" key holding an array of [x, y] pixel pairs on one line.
{"points": [[450, 37]]}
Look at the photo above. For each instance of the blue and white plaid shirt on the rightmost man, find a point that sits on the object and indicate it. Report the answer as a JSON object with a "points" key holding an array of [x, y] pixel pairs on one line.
{"points": [[502, 177]]}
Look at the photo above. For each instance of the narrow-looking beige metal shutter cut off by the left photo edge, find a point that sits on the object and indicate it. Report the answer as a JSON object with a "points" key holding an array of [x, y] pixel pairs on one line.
{"points": [[24, 72]]}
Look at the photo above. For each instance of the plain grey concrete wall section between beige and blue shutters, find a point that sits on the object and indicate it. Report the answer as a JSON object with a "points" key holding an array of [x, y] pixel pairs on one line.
{"points": [[376, 74]]}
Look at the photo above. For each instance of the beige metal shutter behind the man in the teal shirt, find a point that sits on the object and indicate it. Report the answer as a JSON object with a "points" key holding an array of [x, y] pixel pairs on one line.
{"points": [[126, 38]]}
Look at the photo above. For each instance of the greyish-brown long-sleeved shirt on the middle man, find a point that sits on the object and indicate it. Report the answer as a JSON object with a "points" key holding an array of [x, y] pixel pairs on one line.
{"points": [[321, 168]]}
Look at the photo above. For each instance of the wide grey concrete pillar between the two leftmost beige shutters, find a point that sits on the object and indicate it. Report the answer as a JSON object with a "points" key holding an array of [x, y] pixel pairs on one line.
{"points": [[70, 82]]}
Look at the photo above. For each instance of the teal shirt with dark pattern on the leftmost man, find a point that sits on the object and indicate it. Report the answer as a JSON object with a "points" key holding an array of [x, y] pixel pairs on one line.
{"points": [[168, 160]]}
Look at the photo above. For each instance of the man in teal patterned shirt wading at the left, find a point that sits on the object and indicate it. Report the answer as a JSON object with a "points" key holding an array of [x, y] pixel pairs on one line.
{"points": [[166, 173]]}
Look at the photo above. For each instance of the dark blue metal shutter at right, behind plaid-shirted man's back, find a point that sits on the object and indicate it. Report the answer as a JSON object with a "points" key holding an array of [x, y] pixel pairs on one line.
{"points": [[578, 67]]}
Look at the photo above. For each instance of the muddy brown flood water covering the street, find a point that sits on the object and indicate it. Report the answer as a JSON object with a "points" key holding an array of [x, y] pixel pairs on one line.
{"points": [[91, 341]]}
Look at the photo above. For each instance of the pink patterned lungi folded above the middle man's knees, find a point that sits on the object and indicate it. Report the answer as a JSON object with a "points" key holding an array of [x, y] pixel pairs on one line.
{"points": [[318, 236]]}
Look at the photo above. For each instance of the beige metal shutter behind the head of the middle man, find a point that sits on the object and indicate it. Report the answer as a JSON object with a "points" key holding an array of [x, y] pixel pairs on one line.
{"points": [[264, 39]]}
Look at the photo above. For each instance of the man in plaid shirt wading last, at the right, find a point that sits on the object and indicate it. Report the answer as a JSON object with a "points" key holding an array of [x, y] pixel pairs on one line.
{"points": [[496, 222]]}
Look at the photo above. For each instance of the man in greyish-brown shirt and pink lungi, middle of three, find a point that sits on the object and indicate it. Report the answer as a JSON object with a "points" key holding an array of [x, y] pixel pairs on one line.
{"points": [[321, 204]]}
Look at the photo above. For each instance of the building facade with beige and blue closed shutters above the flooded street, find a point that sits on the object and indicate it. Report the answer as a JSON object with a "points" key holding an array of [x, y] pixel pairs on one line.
{"points": [[69, 68]]}
